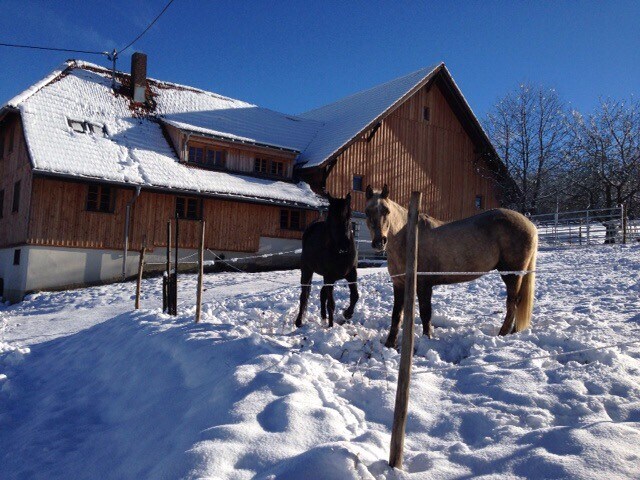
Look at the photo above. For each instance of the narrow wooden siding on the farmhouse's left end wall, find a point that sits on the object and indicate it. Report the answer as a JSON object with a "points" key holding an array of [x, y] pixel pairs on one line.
{"points": [[14, 166]]}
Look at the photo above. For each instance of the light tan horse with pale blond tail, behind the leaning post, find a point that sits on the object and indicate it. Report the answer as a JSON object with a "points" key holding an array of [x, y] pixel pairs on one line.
{"points": [[495, 239]]}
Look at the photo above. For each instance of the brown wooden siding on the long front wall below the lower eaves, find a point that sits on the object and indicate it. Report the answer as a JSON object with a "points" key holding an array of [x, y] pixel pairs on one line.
{"points": [[59, 218]]}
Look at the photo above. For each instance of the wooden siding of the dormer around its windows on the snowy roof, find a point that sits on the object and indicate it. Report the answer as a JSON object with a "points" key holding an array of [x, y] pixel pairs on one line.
{"points": [[238, 159]]}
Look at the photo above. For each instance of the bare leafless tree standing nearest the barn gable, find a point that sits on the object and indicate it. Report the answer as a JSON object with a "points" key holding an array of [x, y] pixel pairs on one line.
{"points": [[528, 127]]}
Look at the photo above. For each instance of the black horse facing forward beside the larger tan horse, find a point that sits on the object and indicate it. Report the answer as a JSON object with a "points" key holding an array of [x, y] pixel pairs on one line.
{"points": [[329, 249]]}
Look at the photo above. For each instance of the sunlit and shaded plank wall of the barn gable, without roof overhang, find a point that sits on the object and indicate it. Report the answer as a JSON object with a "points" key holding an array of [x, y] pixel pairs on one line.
{"points": [[407, 153]]}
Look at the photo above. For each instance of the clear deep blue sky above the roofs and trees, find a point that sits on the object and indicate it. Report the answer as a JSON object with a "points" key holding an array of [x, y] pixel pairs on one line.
{"points": [[295, 55]]}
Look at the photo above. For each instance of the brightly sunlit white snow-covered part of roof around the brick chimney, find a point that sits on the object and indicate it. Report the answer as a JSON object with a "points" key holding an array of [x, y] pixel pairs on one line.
{"points": [[126, 147]]}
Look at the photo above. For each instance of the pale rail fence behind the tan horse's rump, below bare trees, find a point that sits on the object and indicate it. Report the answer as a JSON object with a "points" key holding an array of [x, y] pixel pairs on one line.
{"points": [[585, 227]]}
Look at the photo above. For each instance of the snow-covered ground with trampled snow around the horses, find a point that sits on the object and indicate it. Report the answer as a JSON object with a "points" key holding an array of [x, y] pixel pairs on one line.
{"points": [[90, 388]]}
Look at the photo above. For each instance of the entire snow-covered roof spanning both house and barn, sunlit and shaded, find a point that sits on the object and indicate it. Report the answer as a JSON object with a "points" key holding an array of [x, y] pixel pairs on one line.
{"points": [[135, 150]]}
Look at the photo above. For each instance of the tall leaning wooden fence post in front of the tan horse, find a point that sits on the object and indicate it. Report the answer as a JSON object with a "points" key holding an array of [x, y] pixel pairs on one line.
{"points": [[406, 354]]}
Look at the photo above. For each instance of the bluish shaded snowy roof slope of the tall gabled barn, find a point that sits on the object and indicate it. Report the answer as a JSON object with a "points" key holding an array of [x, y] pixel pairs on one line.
{"points": [[346, 118]]}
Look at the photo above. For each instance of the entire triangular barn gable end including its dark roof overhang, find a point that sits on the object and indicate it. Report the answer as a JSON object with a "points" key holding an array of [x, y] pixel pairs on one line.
{"points": [[428, 141]]}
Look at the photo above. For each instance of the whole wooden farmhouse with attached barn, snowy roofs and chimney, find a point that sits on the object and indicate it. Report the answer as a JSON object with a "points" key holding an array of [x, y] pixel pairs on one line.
{"points": [[93, 164]]}
